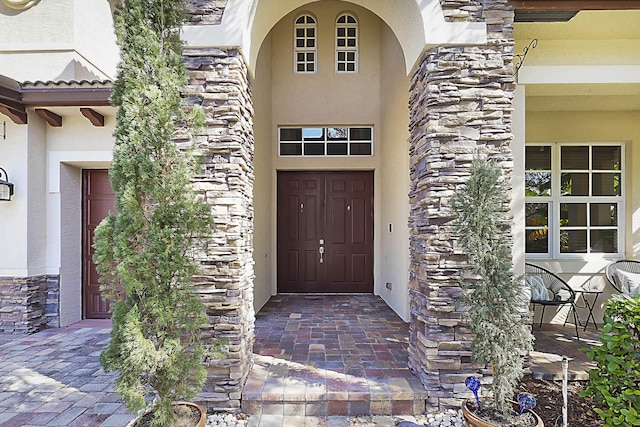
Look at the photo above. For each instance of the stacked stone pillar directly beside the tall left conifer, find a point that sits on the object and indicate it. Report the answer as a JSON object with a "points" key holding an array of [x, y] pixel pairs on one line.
{"points": [[218, 82]]}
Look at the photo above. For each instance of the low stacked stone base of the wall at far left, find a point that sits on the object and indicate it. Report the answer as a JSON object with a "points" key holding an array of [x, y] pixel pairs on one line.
{"points": [[28, 304]]}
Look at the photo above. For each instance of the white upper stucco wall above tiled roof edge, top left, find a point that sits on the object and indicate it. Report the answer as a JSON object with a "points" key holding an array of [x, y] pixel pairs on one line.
{"points": [[55, 40]]}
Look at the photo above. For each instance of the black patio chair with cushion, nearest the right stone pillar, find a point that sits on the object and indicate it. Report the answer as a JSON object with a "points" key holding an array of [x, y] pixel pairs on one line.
{"points": [[548, 289]]}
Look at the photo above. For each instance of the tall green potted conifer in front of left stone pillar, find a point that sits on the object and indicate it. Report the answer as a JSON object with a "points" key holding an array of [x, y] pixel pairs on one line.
{"points": [[145, 254]]}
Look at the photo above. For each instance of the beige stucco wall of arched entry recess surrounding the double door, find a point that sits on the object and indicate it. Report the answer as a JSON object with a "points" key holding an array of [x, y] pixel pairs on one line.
{"points": [[377, 95]]}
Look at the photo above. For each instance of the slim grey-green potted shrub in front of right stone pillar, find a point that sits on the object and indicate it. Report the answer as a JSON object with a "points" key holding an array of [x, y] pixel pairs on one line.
{"points": [[497, 303]]}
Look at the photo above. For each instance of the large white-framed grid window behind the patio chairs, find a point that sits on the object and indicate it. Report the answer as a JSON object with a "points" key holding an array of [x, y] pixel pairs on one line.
{"points": [[574, 196]]}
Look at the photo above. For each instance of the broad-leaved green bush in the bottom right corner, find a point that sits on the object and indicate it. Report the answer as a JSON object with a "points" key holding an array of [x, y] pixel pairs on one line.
{"points": [[614, 382]]}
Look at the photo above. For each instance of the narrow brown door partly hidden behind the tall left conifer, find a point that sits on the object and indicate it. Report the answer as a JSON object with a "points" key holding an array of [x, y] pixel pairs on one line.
{"points": [[98, 201]]}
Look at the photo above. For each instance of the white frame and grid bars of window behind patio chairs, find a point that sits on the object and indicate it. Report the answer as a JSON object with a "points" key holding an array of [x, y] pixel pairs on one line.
{"points": [[556, 199]]}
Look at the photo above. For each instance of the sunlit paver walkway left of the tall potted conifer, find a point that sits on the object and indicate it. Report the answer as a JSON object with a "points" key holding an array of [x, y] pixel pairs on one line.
{"points": [[54, 378]]}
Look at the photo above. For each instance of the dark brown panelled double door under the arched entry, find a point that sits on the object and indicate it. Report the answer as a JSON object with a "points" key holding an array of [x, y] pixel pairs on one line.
{"points": [[325, 232]]}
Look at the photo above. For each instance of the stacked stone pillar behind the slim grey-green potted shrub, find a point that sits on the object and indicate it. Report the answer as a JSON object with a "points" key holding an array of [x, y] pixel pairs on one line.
{"points": [[460, 101]]}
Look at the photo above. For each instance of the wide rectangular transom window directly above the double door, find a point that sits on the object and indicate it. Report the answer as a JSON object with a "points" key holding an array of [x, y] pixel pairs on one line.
{"points": [[325, 141]]}
